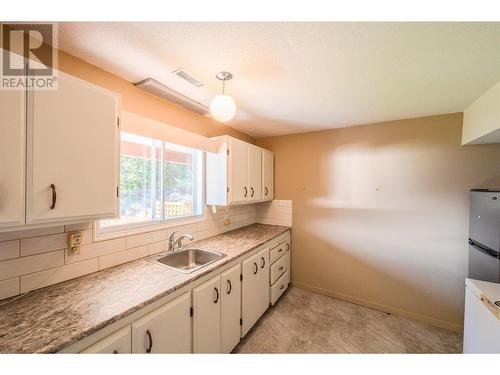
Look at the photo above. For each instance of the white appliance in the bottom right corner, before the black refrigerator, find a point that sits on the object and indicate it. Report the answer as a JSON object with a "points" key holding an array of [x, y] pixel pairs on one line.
{"points": [[482, 317]]}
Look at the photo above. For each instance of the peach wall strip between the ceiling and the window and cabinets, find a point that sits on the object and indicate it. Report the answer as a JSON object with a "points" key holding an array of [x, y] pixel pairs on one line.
{"points": [[143, 103]]}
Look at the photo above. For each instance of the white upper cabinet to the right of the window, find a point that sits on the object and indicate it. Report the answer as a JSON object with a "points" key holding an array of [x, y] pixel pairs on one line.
{"points": [[239, 173]]}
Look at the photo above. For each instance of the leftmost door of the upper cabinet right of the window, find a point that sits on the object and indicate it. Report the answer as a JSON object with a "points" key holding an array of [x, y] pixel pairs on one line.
{"points": [[238, 170]]}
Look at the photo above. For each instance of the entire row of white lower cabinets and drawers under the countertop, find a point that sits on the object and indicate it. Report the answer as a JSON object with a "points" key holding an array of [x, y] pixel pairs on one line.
{"points": [[224, 308]]}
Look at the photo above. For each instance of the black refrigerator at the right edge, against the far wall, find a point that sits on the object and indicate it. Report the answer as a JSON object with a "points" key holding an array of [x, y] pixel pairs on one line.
{"points": [[484, 235]]}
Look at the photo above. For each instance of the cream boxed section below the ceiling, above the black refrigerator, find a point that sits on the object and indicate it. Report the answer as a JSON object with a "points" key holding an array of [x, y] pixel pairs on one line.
{"points": [[482, 119]]}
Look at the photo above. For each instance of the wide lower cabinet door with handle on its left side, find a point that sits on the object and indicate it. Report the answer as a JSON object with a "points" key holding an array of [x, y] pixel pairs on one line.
{"points": [[165, 330]]}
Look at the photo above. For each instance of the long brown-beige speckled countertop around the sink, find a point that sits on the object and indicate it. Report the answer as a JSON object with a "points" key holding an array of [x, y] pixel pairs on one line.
{"points": [[52, 318]]}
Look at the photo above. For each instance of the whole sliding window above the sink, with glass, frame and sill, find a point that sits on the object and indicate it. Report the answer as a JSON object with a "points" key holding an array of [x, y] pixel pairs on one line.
{"points": [[159, 182]]}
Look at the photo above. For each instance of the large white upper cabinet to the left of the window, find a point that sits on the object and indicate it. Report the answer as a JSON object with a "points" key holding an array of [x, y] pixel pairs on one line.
{"points": [[63, 151]]}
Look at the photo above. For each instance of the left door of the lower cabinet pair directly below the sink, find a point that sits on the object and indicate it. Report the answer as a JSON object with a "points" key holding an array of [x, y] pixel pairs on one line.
{"points": [[206, 317]]}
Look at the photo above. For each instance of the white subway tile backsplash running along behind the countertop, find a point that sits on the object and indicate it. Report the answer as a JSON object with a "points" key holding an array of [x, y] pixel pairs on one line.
{"points": [[31, 259]]}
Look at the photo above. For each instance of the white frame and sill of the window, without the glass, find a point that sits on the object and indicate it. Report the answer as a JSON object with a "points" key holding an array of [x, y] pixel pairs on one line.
{"points": [[123, 230]]}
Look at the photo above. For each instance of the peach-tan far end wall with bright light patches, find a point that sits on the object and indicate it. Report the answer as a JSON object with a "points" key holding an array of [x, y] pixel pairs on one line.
{"points": [[380, 212]]}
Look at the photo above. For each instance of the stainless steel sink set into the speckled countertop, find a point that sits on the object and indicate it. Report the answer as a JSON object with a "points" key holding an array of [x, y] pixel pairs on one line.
{"points": [[189, 260]]}
